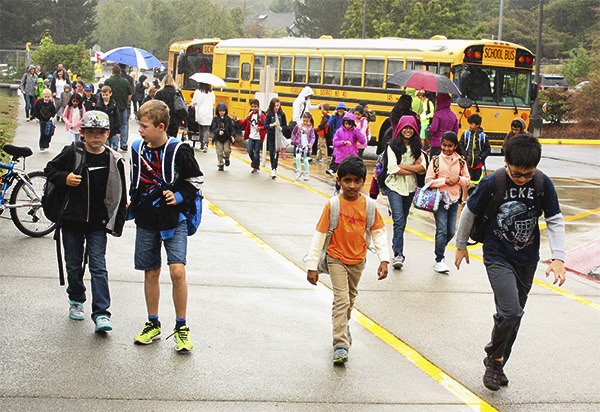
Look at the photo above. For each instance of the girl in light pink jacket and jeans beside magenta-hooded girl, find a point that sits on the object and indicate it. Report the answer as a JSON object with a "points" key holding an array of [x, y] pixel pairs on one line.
{"points": [[448, 172]]}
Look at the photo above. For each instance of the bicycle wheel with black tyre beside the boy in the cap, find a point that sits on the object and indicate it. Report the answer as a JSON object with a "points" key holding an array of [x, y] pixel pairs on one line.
{"points": [[30, 218]]}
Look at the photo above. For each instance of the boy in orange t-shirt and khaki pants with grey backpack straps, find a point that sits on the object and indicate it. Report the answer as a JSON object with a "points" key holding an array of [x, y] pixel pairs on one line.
{"points": [[346, 249]]}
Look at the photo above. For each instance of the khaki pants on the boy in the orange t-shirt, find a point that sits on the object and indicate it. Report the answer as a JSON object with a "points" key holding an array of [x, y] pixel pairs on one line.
{"points": [[344, 279]]}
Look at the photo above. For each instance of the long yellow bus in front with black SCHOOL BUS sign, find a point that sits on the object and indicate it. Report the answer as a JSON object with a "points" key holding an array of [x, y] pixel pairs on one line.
{"points": [[497, 74]]}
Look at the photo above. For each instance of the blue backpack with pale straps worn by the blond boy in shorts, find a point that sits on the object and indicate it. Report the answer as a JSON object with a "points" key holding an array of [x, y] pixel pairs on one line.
{"points": [[193, 216]]}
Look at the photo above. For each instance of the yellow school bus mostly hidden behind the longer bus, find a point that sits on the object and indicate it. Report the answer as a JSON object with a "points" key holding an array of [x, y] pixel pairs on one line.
{"points": [[188, 57]]}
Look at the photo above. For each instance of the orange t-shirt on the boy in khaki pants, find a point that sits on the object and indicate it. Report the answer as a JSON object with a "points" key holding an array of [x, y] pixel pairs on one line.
{"points": [[348, 243]]}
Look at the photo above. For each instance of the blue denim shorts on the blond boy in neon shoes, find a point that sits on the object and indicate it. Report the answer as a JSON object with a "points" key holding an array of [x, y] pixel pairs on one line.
{"points": [[147, 247]]}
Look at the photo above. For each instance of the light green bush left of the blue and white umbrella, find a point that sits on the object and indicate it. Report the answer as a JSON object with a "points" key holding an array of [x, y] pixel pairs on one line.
{"points": [[75, 57]]}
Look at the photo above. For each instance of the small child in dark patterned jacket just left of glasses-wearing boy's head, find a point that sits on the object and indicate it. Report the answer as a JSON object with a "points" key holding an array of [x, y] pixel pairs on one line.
{"points": [[476, 148]]}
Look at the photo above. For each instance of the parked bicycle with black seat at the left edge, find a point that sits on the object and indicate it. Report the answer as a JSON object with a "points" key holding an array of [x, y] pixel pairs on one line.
{"points": [[25, 202]]}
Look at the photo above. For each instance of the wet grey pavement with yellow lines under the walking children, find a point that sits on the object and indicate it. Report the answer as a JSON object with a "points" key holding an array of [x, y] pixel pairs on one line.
{"points": [[262, 333]]}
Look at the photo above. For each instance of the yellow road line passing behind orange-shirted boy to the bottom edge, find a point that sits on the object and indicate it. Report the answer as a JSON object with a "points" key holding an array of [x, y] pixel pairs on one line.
{"points": [[469, 398]]}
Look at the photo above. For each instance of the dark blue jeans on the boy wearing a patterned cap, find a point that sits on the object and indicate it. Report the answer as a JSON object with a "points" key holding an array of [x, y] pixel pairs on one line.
{"points": [[74, 244]]}
